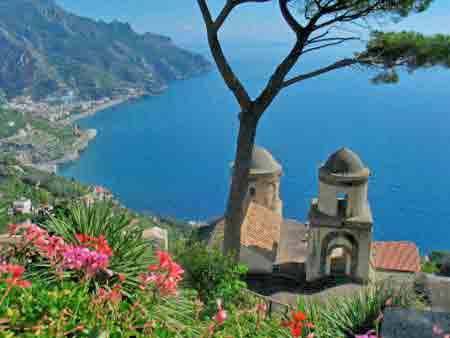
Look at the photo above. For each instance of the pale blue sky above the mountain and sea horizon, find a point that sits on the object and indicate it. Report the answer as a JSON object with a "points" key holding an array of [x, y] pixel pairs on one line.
{"points": [[181, 19]]}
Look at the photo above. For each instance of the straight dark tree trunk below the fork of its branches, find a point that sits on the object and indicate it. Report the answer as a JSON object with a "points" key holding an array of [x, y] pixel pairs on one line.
{"points": [[239, 185]]}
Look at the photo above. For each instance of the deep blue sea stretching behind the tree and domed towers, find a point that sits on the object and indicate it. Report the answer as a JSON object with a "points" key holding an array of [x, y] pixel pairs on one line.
{"points": [[170, 154]]}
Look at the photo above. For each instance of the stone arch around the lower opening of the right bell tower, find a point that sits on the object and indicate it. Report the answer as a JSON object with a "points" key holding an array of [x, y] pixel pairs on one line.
{"points": [[351, 248]]}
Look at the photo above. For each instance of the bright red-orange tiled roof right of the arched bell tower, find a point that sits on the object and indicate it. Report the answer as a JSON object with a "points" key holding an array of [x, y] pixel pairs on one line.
{"points": [[396, 256]]}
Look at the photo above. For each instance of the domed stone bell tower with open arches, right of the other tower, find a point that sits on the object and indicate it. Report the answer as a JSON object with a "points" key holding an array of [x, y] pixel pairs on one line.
{"points": [[341, 220]]}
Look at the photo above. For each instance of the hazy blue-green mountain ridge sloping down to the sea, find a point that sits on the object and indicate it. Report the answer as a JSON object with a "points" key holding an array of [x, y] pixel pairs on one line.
{"points": [[44, 49]]}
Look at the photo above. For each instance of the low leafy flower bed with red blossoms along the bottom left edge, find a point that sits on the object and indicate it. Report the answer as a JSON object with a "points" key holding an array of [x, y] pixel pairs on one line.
{"points": [[158, 308]]}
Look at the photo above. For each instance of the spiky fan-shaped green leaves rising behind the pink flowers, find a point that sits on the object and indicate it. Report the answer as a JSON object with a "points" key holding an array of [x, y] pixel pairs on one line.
{"points": [[132, 253]]}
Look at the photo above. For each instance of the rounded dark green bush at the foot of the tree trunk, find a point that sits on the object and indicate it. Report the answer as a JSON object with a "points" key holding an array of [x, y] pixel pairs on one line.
{"points": [[211, 273]]}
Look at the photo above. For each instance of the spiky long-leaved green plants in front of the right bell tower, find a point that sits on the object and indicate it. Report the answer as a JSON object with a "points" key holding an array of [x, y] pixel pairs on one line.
{"points": [[347, 316]]}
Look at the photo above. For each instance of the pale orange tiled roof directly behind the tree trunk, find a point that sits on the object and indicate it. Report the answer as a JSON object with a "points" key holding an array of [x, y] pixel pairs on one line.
{"points": [[260, 228]]}
